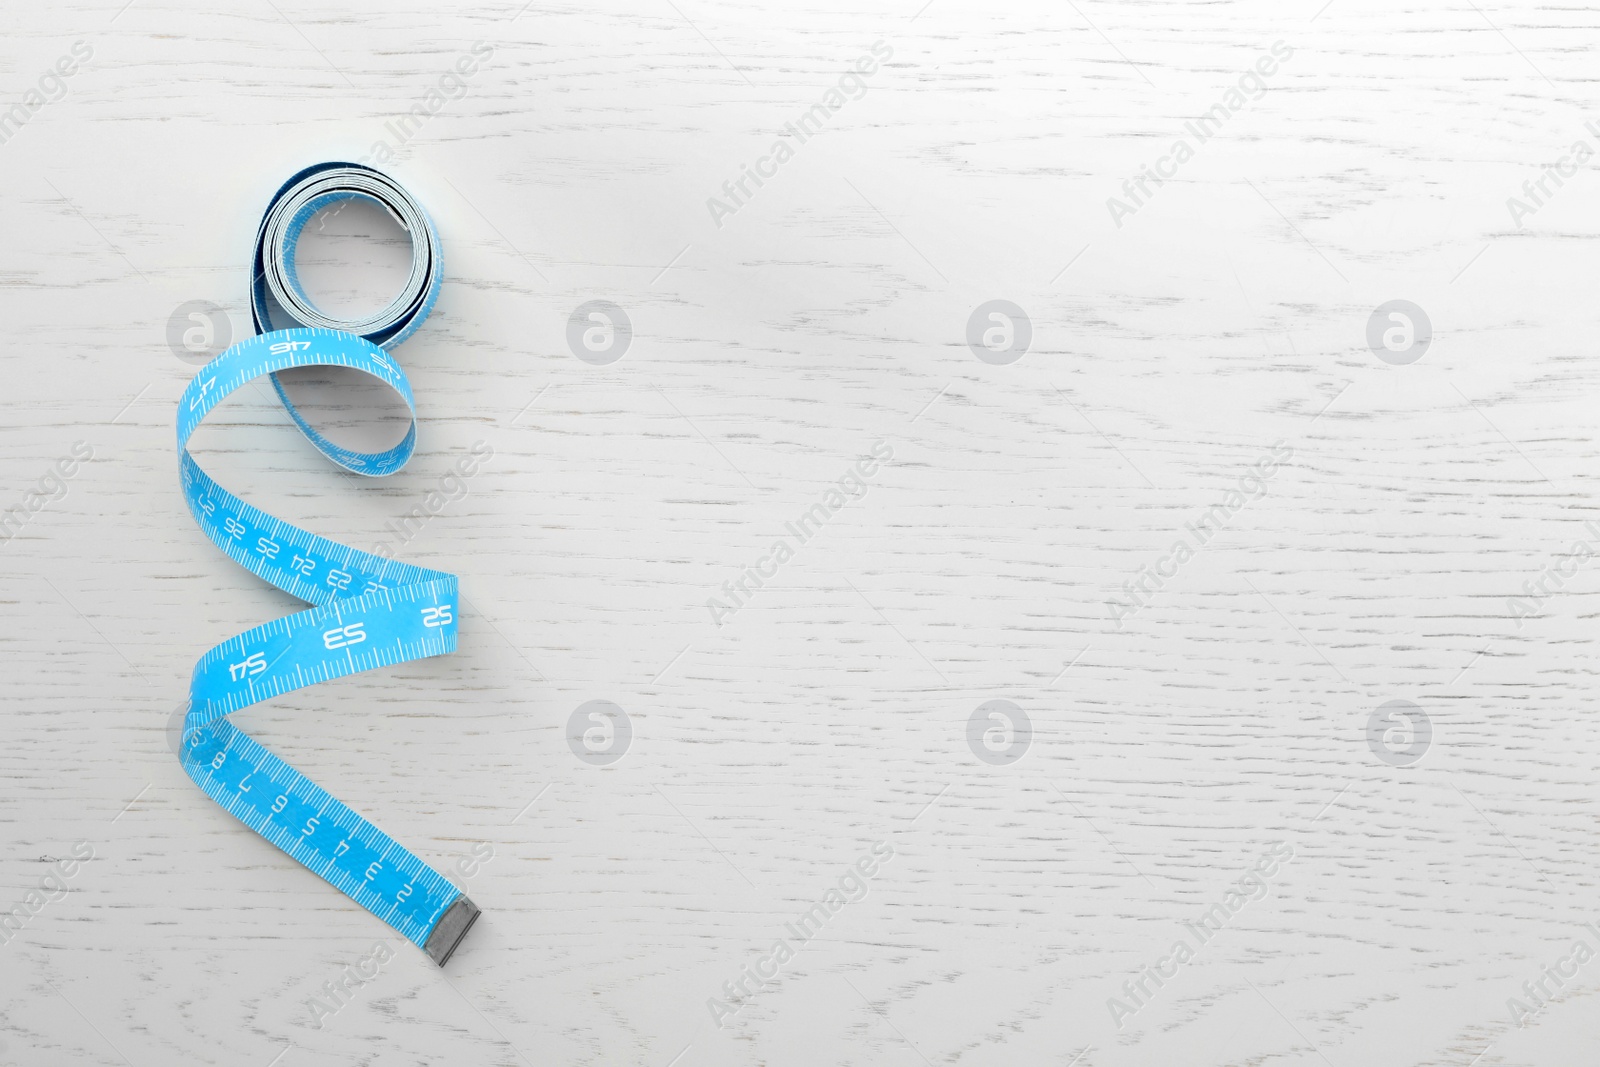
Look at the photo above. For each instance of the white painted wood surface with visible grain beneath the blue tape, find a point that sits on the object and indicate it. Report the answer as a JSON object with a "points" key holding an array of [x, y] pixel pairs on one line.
{"points": [[769, 354]]}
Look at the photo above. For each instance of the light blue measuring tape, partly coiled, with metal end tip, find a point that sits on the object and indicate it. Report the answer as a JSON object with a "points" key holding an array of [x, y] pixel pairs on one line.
{"points": [[367, 612]]}
